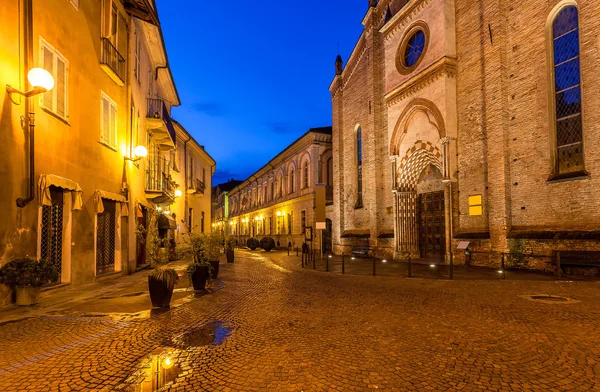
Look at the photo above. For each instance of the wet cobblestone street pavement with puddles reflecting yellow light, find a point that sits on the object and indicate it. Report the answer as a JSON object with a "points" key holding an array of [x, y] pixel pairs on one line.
{"points": [[275, 327]]}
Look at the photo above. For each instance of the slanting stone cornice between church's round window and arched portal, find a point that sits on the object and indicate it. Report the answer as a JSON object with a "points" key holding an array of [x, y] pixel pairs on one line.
{"points": [[446, 66]]}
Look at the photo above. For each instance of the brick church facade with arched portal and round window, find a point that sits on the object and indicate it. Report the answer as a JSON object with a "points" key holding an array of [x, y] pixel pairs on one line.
{"points": [[469, 121]]}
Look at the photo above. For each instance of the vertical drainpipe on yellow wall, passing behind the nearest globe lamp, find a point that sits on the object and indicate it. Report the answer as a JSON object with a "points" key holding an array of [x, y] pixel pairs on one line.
{"points": [[27, 61]]}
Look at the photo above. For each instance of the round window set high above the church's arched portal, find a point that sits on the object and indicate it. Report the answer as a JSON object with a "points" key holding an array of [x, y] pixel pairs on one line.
{"points": [[412, 49]]}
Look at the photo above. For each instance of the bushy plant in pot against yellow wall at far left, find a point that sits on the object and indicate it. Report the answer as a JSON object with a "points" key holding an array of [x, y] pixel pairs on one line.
{"points": [[27, 276]]}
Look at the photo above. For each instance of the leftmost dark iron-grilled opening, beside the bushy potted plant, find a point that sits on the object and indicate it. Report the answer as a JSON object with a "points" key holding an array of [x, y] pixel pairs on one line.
{"points": [[52, 229]]}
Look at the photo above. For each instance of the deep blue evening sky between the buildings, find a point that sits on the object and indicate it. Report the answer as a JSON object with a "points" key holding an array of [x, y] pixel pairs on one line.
{"points": [[254, 75]]}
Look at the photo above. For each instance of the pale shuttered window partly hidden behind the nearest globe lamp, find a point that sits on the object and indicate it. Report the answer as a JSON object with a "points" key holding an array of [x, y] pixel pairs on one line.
{"points": [[55, 100]]}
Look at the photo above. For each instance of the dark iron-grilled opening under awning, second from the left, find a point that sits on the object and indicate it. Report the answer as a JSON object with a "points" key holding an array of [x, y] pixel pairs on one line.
{"points": [[105, 238]]}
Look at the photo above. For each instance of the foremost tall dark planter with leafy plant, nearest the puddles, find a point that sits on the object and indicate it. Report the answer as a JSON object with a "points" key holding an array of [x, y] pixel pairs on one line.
{"points": [[162, 280]]}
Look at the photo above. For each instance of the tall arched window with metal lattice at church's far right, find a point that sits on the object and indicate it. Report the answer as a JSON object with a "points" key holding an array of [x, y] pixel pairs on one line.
{"points": [[567, 91]]}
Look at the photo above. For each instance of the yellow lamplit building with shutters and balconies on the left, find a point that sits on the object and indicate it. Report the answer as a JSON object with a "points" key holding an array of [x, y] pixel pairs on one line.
{"points": [[87, 191]]}
